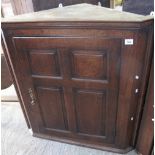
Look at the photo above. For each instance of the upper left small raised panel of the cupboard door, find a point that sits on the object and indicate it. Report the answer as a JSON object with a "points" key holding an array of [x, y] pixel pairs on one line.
{"points": [[44, 62]]}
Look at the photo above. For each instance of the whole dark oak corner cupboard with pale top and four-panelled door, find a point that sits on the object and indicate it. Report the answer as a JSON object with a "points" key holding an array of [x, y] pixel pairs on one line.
{"points": [[81, 76]]}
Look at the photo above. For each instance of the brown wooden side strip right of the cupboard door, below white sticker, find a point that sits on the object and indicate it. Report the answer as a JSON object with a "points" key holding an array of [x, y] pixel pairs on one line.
{"points": [[132, 65]]}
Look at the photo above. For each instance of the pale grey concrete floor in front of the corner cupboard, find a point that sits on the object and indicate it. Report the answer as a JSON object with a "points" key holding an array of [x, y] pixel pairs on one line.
{"points": [[16, 139]]}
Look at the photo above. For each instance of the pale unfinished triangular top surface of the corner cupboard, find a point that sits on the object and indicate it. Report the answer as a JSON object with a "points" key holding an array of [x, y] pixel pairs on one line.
{"points": [[79, 12]]}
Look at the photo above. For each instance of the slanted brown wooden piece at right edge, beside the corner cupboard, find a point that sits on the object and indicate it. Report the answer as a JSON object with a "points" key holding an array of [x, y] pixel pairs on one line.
{"points": [[146, 132]]}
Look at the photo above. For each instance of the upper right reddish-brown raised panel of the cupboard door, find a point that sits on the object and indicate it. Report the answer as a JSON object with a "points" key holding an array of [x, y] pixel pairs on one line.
{"points": [[89, 64]]}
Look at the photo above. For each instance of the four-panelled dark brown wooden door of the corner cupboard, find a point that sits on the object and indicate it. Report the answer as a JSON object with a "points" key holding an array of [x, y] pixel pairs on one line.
{"points": [[74, 83]]}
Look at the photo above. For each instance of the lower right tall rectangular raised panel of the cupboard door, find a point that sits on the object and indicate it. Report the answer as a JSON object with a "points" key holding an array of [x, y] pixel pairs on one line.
{"points": [[90, 107]]}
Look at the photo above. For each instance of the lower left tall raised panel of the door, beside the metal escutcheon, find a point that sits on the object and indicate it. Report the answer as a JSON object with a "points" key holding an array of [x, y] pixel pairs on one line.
{"points": [[51, 102]]}
